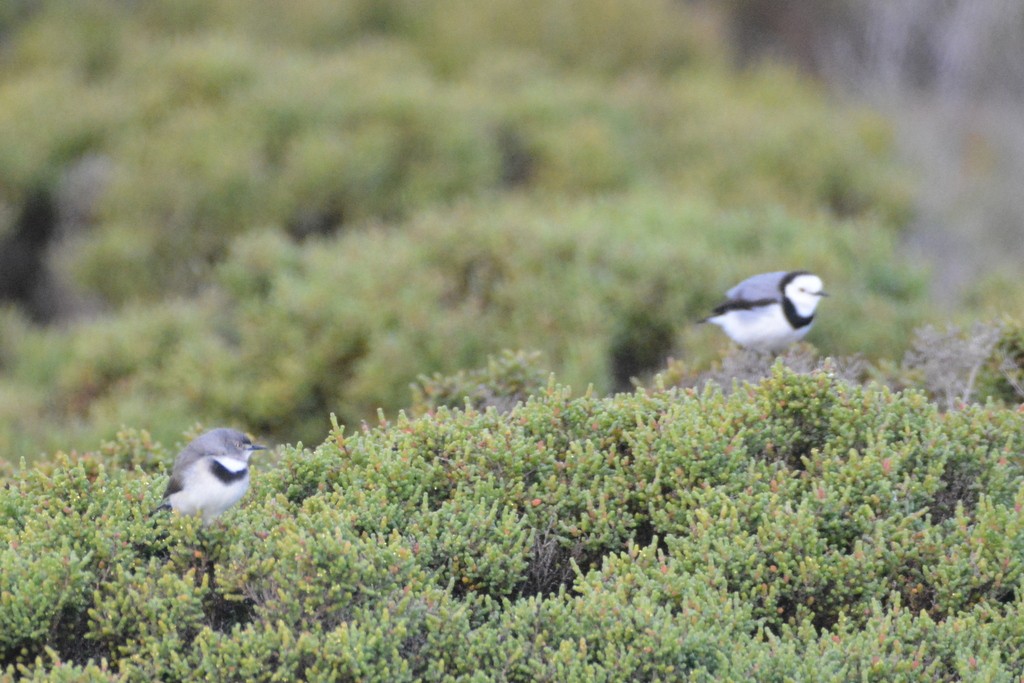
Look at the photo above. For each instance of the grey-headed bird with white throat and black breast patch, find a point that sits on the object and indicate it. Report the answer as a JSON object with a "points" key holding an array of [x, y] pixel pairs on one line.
{"points": [[211, 475]]}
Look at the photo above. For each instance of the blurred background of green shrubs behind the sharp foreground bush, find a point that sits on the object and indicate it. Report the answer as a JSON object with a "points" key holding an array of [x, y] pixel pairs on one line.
{"points": [[223, 212]]}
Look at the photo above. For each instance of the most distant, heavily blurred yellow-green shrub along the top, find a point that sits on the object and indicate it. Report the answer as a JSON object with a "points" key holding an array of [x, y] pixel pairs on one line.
{"points": [[210, 136]]}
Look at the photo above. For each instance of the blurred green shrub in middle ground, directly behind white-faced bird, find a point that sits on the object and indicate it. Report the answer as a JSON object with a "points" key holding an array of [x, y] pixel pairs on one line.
{"points": [[603, 290]]}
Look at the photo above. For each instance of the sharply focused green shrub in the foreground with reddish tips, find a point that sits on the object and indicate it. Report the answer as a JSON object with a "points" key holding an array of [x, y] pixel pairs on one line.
{"points": [[802, 528]]}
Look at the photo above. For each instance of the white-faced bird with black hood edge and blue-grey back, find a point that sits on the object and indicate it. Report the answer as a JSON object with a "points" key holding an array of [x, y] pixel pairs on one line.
{"points": [[772, 311]]}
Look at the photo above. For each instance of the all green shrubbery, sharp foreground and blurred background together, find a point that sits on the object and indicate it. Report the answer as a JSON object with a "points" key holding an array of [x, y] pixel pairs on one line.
{"points": [[319, 214]]}
